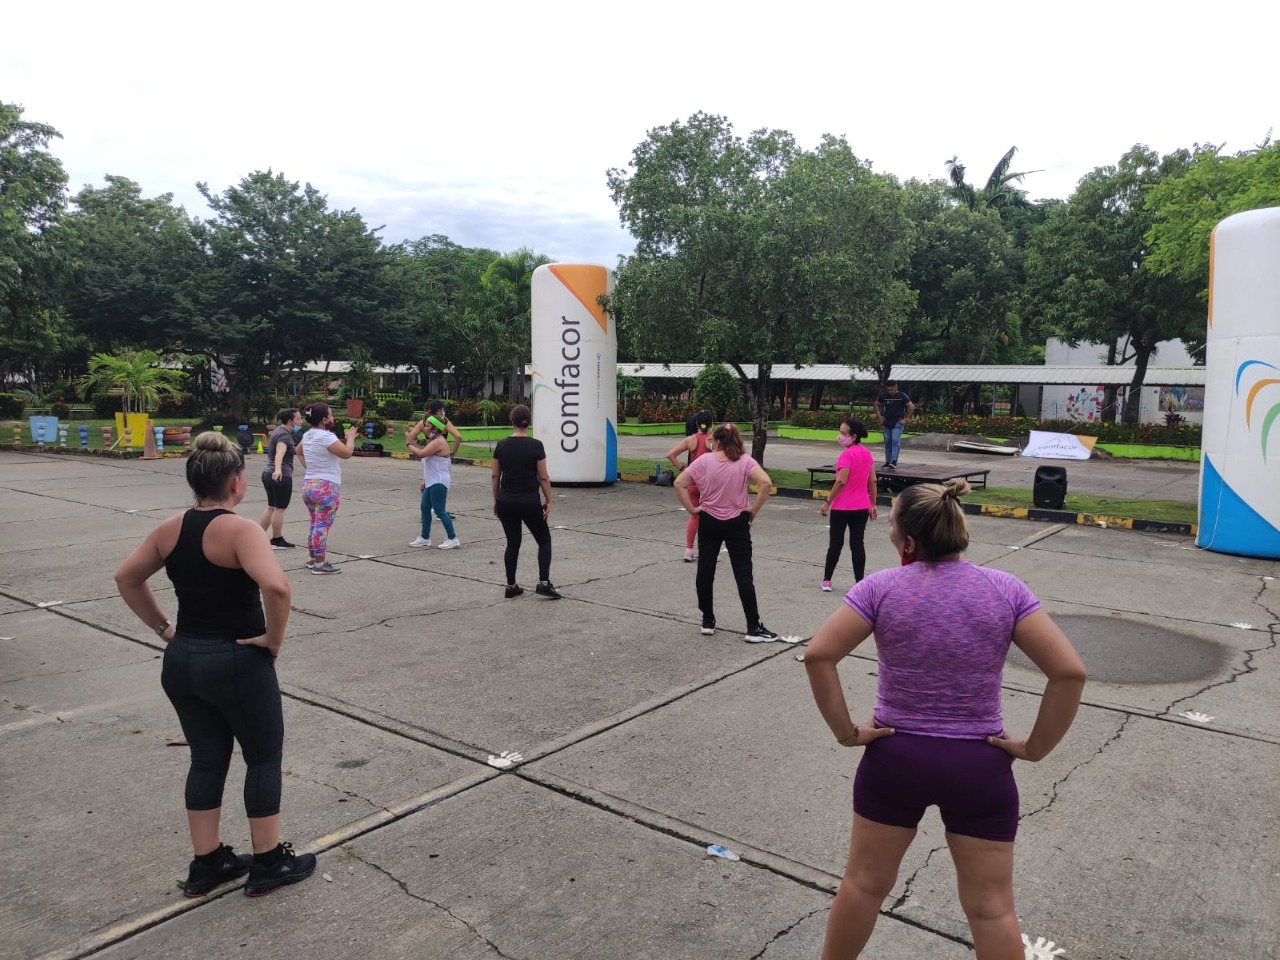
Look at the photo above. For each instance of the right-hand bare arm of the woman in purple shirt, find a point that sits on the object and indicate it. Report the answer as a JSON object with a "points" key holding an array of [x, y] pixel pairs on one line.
{"points": [[1048, 647]]}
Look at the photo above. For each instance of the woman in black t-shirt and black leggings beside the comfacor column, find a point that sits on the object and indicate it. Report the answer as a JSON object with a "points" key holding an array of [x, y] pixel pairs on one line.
{"points": [[519, 474]]}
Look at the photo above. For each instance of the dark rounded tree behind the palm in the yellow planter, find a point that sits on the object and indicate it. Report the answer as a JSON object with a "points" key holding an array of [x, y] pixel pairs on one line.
{"points": [[132, 267]]}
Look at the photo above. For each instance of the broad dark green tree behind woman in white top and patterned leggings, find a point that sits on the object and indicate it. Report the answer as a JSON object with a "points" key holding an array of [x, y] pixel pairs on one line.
{"points": [[290, 282]]}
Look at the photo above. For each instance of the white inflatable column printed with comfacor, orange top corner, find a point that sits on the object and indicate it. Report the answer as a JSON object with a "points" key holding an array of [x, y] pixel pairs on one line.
{"points": [[575, 383]]}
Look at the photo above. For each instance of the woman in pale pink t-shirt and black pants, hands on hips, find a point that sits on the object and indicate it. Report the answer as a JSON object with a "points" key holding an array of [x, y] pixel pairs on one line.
{"points": [[726, 519]]}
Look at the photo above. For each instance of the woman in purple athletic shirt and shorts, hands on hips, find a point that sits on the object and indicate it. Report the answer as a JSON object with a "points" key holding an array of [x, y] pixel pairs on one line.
{"points": [[943, 632]]}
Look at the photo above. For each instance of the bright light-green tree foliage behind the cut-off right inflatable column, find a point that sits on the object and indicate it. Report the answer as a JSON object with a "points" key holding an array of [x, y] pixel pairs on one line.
{"points": [[1187, 208]]}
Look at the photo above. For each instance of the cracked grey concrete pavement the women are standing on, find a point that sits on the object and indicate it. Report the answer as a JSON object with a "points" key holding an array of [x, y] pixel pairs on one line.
{"points": [[1149, 835]]}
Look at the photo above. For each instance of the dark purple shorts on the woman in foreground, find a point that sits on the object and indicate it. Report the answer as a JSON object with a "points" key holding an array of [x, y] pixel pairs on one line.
{"points": [[971, 781]]}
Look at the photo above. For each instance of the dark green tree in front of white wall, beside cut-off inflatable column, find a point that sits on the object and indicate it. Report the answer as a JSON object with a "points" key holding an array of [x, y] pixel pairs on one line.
{"points": [[1087, 269]]}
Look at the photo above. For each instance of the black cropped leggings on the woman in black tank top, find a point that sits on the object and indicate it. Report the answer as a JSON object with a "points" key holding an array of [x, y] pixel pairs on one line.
{"points": [[225, 692]]}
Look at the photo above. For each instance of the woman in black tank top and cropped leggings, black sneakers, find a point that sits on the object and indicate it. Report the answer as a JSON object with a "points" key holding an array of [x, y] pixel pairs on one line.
{"points": [[220, 665]]}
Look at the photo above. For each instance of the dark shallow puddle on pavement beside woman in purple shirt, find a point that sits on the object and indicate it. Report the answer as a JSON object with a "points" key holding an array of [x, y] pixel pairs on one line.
{"points": [[1118, 651]]}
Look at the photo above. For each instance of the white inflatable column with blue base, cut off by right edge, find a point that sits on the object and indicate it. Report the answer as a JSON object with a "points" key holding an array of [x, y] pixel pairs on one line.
{"points": [[1240, 495]]}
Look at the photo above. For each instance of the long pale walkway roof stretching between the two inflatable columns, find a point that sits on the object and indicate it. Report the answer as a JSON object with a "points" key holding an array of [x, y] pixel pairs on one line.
{"points": [[1071, 376]]}
